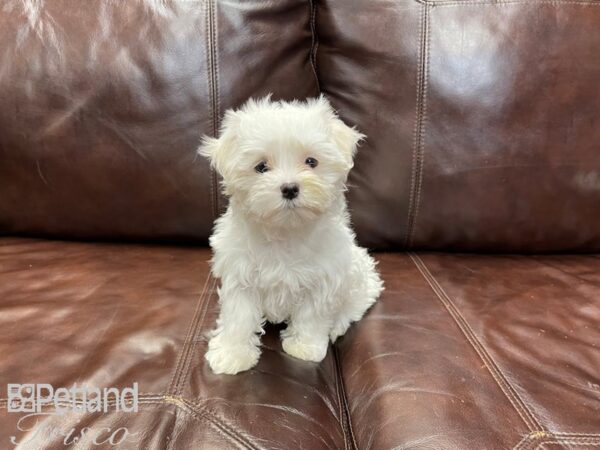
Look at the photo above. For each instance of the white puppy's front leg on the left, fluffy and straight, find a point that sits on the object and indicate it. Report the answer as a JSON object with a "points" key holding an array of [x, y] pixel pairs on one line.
{"points": [[234, 345]]}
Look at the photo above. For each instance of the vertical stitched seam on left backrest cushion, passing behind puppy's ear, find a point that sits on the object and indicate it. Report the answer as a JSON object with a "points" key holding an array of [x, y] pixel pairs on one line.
{"points": [[213, 87]]}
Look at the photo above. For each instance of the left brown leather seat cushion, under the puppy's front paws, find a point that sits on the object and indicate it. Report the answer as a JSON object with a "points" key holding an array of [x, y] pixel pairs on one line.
{"points": [[109, 315]]}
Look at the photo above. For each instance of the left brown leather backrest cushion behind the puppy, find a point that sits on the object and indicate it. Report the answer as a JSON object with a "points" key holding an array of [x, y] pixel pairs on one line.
{"points": [[102, 104]]}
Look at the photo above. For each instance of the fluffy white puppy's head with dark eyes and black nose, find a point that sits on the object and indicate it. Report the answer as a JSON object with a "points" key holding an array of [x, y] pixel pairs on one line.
{"points": [[283, 163]]}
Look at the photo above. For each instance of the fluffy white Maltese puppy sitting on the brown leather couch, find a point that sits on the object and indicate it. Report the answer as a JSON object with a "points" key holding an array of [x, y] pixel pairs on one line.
{"points": [[284, 250]]}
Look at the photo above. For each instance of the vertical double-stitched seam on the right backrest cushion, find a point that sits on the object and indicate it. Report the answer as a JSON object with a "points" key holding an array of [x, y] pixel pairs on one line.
{"points": [[421, 99]]}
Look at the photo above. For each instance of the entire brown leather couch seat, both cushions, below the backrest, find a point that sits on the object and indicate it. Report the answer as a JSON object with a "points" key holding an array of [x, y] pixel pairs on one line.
{"points": [[462, 351]]}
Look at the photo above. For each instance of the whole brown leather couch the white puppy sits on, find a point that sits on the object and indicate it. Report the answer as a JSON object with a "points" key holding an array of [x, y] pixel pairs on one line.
{"points": [[478, 187]]}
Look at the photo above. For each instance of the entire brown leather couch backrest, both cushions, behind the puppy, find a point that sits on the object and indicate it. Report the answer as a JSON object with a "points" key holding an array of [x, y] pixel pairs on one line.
{"points": [[482, 120]]}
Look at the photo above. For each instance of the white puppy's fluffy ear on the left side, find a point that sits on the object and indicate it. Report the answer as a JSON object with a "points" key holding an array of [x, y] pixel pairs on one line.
{"points": [[220, 151]]}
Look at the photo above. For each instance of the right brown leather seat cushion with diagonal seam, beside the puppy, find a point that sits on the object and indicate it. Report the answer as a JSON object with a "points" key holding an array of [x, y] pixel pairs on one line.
{"points": [[478, 351]]}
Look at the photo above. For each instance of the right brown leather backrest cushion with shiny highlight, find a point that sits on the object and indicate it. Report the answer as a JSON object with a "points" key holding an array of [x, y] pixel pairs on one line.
{"points": [[482, 117]]}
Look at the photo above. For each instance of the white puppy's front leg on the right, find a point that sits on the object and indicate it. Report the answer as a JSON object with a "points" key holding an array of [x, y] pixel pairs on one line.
{"points": [[307, 334]]}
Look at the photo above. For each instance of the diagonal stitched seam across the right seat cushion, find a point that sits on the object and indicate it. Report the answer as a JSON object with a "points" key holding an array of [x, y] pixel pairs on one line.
{"points": [[514, 398]]}
